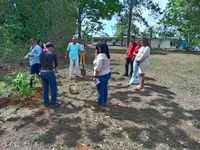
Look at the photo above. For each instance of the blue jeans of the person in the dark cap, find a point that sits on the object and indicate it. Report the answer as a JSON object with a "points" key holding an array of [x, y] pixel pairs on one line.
{"points": [[49, 79]]}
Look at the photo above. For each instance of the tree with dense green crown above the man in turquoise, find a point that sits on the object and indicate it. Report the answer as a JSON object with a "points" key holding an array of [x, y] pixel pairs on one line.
{"points": [[94, 10]]}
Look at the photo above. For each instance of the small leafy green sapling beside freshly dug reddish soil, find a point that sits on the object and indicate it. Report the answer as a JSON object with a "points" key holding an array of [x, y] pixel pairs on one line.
{"points": [[22, 84]]}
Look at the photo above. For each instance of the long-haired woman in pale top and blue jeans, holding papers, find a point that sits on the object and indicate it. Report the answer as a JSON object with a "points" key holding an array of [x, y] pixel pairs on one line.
{"points": [[102, 73]]}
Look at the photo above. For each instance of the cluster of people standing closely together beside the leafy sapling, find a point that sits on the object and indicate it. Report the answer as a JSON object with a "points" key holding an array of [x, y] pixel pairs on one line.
{"points": [[43, 61]]}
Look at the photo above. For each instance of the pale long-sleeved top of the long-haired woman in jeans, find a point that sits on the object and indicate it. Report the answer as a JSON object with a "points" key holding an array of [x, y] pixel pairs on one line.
{"points": [[102, 64]]}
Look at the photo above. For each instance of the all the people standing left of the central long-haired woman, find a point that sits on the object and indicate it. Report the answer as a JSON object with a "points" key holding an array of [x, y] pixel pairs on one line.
{"points": [[43, 62]]}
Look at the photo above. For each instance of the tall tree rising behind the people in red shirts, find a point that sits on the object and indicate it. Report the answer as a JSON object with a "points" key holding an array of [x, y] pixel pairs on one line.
{"points": [[134, 9]]}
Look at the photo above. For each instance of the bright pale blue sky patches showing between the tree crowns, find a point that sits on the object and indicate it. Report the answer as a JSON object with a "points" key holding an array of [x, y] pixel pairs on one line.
{"points": [[108, 28]]}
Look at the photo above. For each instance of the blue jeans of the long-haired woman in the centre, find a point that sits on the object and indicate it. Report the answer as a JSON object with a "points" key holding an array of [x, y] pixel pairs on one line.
{"points": [[102, 88]]}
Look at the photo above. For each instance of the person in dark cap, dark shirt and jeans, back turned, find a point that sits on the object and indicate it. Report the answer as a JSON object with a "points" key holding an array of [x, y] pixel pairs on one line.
{"points": [[49, 62]]}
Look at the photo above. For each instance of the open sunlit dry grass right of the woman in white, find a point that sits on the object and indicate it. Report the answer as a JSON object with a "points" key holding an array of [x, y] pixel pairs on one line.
{"points": [[178, 70]]}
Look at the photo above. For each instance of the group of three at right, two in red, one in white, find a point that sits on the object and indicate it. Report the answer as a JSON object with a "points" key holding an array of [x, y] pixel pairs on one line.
{"points": [[137, 57]]}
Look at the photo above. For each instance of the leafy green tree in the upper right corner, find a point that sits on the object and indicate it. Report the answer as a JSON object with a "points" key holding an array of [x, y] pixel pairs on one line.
{"points": [[185, 16]]}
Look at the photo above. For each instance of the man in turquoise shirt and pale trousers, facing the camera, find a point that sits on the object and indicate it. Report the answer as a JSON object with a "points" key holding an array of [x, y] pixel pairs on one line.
{"points": [[73, 50]]}
